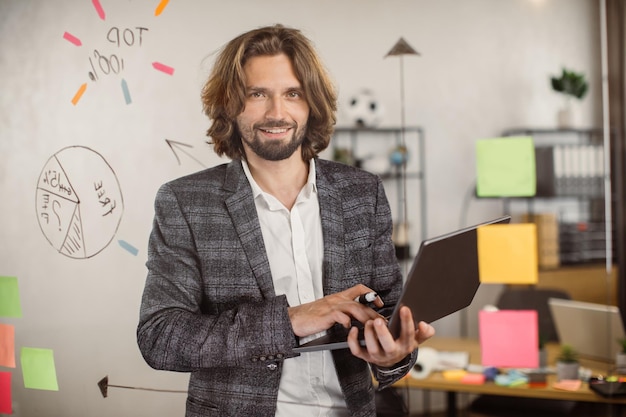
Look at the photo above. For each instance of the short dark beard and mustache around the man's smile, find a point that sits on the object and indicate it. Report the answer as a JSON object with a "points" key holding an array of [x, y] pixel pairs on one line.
{"points": [[272, 150]]}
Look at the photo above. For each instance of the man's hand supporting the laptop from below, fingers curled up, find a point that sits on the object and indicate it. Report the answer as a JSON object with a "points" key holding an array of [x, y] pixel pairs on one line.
{"points": [[380, 347]]}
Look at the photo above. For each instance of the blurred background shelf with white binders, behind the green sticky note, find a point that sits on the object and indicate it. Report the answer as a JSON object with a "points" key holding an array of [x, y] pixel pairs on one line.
{"points": [[569, 205]]}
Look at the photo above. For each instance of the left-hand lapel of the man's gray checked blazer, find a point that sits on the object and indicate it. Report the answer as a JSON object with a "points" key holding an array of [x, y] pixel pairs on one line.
{"points": [[242, 210]]}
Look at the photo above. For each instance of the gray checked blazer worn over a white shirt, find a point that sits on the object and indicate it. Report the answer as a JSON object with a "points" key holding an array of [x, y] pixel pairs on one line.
{"points": [[209, 306]]}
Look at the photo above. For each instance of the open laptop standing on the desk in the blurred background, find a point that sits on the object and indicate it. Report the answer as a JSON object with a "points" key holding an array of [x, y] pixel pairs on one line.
{"points": [[591, 329]]}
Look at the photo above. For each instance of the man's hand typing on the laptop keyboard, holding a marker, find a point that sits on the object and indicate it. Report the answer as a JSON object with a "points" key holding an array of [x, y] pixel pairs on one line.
{"points": [[322, 314]]}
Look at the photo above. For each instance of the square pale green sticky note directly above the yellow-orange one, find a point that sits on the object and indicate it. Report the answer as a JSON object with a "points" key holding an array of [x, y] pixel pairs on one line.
{"points": [[505, 167]]}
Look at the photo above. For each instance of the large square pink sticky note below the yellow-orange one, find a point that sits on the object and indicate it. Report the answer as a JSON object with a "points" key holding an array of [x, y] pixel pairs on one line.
{"points": [[509, 338]]}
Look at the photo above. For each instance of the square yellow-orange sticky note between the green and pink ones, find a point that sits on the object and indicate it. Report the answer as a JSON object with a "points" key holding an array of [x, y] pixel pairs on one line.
{"points": [[507, 253]]}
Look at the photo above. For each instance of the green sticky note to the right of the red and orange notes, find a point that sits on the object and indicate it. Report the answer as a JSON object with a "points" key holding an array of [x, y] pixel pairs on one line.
{"points": [[38, 369]]}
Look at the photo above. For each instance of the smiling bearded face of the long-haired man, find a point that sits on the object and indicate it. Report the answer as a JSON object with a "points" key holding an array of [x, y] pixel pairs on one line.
{"points": [[273, 122]]}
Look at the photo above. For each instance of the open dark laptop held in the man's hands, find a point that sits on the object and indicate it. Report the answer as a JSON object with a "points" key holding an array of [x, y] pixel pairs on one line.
{"points": [[443, 279]]}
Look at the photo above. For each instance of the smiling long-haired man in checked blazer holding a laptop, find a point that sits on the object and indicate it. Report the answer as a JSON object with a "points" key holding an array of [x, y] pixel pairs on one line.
{"points": [[248, 258]]}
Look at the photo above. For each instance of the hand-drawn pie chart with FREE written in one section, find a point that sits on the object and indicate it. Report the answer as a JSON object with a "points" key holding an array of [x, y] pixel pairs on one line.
{"points": [[79, 202]]}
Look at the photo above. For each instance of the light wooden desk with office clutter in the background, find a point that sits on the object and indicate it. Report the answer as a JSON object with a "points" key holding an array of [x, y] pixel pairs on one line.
{"points": [[436, 382]]}
